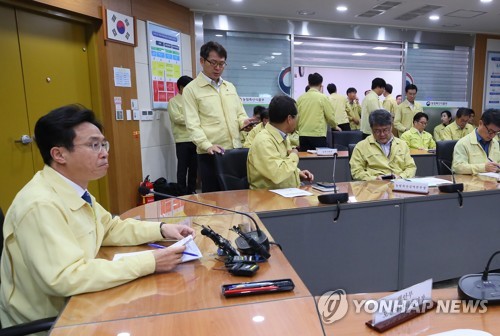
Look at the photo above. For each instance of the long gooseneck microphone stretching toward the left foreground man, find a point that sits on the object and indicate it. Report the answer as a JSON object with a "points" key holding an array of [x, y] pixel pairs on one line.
{"points": [[258, 235]]}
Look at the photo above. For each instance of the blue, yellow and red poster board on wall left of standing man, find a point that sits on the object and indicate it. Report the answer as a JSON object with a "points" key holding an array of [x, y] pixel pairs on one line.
{"points": [[165, 63]]}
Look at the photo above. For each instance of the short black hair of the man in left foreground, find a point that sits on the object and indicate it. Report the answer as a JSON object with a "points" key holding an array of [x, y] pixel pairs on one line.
{"points": [[56, 128]]}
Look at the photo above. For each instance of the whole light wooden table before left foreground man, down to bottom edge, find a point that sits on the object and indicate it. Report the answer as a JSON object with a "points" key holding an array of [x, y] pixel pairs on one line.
{"points": [[188, 301]]}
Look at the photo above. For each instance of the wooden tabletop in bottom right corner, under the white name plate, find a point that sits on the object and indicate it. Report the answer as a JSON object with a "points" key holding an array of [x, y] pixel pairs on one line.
{"points": [[426, 324]]}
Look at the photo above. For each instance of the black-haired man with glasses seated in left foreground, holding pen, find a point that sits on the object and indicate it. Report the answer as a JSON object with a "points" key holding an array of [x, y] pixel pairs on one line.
{"points": [[54, 227]]}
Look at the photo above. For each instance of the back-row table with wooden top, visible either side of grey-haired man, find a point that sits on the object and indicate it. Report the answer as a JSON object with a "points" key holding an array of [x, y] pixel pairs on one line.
{"points": [[322, 165]]}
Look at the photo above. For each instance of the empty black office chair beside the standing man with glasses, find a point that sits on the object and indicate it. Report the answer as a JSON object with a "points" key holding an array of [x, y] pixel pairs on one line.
{"points": [[231, 169]]}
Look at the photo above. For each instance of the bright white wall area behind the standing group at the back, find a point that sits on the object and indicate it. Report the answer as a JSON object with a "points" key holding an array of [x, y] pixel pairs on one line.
{"points": [[360, 79]]}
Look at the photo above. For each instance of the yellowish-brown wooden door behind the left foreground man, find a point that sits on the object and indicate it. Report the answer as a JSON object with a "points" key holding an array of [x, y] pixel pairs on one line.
{"points": [[48, 68]]}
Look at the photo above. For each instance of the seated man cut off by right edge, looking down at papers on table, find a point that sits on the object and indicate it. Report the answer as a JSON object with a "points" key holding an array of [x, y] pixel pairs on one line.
{"points": [[478, 151]]}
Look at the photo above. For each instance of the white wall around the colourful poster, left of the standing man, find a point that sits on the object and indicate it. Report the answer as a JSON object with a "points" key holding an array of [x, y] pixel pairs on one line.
{"points": [[157, 141]]}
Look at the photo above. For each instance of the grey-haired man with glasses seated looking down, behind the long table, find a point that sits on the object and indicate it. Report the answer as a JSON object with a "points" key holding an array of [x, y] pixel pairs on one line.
{"points": [[381, 155]]}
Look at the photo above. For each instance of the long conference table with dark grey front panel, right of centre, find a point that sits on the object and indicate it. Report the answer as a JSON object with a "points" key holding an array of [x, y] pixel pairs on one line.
{"points": [[383, 239]]}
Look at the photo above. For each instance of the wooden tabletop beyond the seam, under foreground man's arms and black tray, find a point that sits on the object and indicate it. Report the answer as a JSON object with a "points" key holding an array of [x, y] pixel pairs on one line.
{"points": [[194, 285]]}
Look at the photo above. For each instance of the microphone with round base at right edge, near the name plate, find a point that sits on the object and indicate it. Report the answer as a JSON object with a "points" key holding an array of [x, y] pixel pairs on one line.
{"points": [[483, 286]]}
